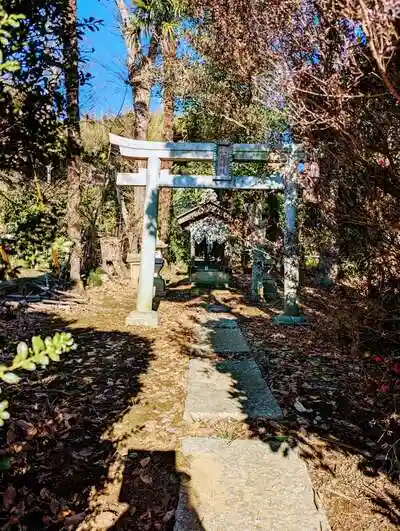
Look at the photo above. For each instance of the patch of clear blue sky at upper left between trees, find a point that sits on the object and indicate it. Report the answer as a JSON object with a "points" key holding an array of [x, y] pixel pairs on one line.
{"points": [[107, 92]]}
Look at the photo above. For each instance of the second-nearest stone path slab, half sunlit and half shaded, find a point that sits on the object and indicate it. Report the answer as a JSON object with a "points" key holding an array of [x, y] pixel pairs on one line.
{"points": [[232, 389]]}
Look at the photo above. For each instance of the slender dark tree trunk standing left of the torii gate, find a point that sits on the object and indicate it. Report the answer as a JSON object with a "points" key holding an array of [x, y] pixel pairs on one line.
{"points": [[71, 55]]}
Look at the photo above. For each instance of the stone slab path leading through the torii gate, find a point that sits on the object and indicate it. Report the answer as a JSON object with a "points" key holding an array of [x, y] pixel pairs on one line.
{"points": [[240, 485]]}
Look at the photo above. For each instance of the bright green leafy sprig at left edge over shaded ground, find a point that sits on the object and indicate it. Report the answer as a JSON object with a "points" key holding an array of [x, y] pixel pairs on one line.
{"points": [[29, 357]]}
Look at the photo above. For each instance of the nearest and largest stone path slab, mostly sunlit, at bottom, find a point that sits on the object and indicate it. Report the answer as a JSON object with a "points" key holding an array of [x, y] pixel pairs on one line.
{"points": [[243, 485]]}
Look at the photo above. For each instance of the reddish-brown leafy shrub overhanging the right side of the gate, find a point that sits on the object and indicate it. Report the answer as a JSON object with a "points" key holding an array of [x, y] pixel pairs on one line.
{"points": [[332, 68]]}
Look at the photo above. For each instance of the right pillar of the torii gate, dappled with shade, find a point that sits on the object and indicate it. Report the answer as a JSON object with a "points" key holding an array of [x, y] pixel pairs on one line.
{"points": [[291, 314]]}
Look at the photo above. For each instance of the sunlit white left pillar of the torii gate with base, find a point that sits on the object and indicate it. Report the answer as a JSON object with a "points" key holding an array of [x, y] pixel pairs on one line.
{"points": [[144, 314]]}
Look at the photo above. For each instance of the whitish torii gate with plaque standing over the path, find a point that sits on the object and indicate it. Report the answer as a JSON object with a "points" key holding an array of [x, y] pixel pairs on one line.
{"points": [[222, 154]]}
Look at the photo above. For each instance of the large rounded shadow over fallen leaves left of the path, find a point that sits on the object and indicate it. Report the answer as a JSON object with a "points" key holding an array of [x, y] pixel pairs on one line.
{"points": [[55, 449]]}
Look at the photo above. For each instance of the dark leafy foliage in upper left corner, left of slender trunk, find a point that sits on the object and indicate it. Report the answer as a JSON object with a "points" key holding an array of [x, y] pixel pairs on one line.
{"points": [[32, 100]]}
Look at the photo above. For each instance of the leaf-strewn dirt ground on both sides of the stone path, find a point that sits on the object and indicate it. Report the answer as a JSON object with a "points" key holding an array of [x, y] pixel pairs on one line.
{"points": [[92, 442]]}
